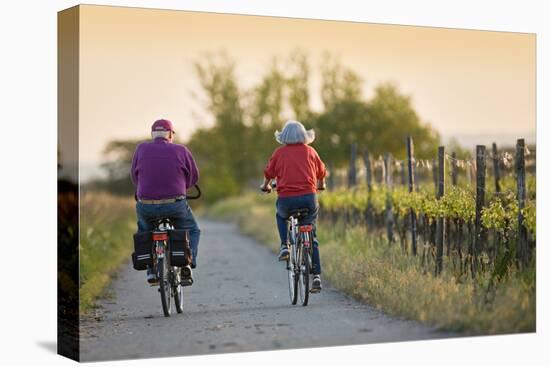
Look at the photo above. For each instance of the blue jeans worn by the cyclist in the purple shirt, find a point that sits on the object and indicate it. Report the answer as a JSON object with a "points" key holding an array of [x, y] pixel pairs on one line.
{"points": [[180, 215]]}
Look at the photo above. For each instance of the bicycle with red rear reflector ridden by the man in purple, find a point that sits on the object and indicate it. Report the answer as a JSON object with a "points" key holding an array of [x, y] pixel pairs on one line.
{"points": [[169, 277]]}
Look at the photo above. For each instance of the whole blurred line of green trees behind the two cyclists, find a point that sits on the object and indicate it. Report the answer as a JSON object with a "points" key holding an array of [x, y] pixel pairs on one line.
{"points": [[232, 152]]}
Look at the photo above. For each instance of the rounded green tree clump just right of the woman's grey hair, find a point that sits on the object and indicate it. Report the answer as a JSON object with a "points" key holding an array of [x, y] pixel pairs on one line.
{"points": [[380, 125]]}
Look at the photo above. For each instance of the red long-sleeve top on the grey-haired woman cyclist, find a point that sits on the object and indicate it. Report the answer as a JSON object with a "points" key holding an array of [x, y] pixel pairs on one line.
{"points": [[297, 168]]}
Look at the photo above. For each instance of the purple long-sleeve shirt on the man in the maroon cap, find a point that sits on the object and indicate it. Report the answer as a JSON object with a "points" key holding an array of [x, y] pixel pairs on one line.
{"points": [[163, 170]]}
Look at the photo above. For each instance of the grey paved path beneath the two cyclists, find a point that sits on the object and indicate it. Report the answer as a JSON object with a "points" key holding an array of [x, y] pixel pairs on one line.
{"points": [[239, 302]]}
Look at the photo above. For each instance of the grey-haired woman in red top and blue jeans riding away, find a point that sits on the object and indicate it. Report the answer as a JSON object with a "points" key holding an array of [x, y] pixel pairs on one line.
{"points": [[299, 173]]}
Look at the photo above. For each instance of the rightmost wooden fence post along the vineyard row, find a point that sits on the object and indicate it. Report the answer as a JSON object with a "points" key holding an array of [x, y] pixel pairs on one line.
{"points": [[522, 249]]}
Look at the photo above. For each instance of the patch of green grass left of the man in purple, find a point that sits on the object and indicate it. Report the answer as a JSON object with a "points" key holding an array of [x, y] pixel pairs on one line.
{"points": [[106, 242]]}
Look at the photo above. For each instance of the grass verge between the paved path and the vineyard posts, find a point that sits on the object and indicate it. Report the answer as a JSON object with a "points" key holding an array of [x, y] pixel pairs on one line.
{"points": [[367, 268]]}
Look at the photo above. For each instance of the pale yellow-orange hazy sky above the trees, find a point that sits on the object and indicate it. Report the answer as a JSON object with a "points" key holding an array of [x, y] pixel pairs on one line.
{"points": [[136, 66]]}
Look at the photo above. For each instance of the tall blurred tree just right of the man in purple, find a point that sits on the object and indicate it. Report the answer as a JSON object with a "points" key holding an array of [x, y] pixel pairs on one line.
{"points": [[223, 152]]}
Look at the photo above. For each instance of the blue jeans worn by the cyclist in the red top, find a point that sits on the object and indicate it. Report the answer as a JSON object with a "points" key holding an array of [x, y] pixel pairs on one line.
{"points": [[285, 205]]}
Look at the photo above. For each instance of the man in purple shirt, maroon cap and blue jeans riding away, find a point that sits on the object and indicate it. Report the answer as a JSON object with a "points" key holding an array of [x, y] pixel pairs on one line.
{"points": [[162, 172]]}
